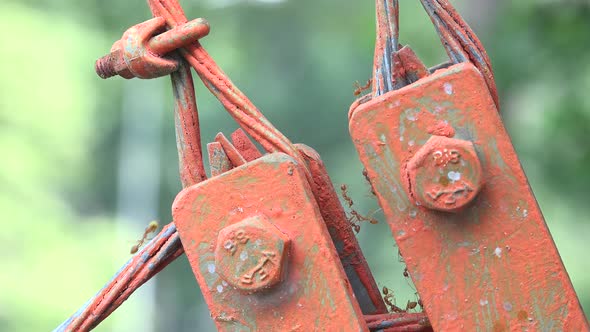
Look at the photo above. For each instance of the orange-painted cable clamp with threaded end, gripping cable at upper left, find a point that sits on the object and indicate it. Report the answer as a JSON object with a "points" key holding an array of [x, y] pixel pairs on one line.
{"points": [[139, 53]]}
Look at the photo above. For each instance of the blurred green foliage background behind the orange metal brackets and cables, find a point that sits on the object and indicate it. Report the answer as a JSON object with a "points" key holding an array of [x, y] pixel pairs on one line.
{"points": [[86, 163]]}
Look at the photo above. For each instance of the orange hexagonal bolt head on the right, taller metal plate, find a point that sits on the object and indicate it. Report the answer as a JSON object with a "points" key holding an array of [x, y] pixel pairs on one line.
{"points": [[445, 174]]}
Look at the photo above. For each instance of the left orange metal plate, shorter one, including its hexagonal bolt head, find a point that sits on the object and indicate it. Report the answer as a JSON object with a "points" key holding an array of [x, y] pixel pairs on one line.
{"points": [[269, 194]]}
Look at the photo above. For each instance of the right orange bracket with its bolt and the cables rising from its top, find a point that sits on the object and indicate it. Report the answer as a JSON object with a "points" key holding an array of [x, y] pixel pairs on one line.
{"points": [[452, 189]]}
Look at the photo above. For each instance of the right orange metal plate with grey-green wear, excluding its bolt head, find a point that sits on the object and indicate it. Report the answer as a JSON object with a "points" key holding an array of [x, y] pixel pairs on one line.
{"points": [[492, 266]]}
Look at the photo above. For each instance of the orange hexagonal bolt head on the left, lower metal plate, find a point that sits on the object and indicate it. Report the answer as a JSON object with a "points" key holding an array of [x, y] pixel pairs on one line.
{"points": [[252, 255]]}
